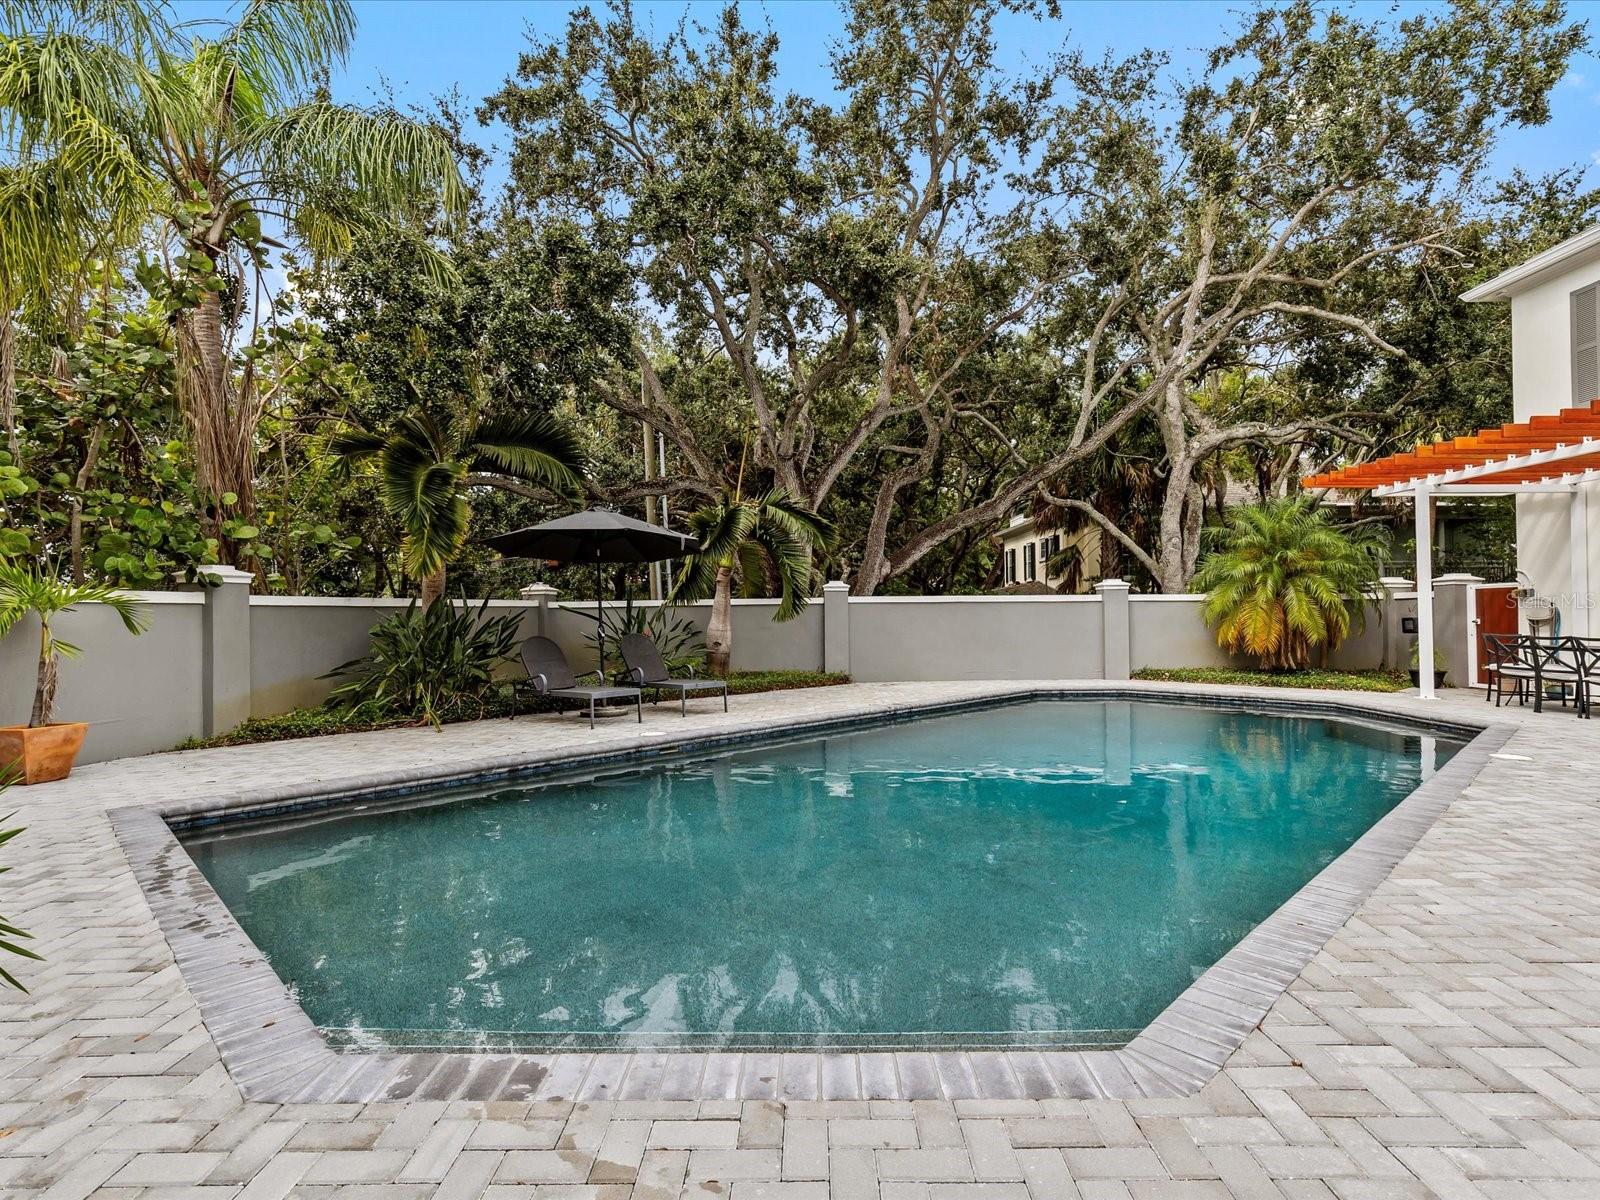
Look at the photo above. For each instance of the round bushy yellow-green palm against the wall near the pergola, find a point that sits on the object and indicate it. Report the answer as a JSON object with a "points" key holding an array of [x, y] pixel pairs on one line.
{"points": [[1281, 582]]}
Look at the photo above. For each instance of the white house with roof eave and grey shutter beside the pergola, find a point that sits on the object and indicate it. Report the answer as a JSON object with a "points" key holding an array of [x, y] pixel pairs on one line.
{"points": [[1556, 364]]}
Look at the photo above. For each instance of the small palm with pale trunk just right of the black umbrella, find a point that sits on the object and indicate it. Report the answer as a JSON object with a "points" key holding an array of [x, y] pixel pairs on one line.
{"points": [[762, 543]]}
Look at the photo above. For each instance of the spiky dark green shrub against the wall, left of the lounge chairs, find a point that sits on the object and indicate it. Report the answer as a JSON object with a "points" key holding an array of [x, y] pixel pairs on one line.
{"points": [[428, 663]]}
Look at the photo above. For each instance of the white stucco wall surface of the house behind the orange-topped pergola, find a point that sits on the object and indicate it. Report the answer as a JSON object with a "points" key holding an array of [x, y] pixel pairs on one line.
{"points": [[1543, 385]]}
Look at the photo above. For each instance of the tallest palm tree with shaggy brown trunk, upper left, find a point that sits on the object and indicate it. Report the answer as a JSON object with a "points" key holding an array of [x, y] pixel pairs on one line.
{"points": [[215, 137]]}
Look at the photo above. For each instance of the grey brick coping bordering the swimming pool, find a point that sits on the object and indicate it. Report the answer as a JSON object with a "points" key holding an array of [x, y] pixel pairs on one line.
{"points": [[274, 1054]]}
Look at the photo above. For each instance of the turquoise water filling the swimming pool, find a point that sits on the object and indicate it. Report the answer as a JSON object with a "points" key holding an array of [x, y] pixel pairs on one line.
{"points": [[1049, 873]]}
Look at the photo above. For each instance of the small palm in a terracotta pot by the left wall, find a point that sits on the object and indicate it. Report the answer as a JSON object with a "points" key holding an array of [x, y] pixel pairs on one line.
{"points": [[46, 750]]}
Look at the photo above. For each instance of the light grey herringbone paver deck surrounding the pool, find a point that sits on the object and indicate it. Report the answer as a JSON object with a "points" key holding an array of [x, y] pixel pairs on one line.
{"points": [[1444, 1041]]}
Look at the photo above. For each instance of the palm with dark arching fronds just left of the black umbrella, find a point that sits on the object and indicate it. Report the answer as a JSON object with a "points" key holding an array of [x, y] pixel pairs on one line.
{"points": [[426, 470]]}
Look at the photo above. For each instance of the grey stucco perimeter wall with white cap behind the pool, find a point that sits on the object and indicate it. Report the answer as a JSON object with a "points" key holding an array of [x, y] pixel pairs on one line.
{"points": [[148, 694]]}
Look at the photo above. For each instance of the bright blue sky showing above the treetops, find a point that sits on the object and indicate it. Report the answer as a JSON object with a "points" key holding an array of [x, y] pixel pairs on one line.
{"points": [[420, 49]]}
